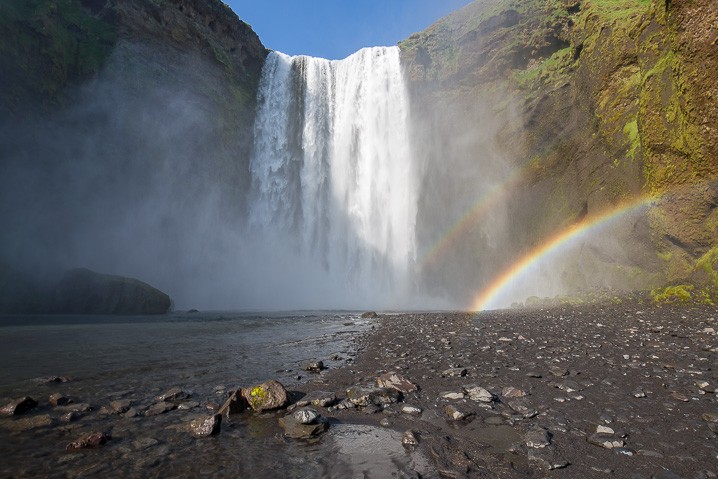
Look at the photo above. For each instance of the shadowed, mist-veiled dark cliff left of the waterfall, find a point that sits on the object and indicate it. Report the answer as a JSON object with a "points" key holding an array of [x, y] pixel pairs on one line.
{"points": [[126, 129]]}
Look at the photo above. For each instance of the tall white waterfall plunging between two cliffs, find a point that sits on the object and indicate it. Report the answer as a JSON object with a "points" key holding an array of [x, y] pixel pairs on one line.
{"points": [[333, 182]]}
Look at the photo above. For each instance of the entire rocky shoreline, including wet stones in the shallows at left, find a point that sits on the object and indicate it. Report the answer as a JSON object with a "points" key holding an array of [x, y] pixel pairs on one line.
{"points": [[608, 390]]}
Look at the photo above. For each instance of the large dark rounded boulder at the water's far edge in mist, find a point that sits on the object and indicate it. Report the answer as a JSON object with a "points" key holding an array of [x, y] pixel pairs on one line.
{"points": [[82, 291]]}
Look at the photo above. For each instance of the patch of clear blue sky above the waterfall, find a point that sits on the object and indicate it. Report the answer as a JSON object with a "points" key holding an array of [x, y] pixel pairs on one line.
{"points": [[335, 29]]}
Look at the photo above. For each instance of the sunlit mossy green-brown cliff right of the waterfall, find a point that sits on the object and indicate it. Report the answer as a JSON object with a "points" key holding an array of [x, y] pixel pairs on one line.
{"points": [[572, 109]]}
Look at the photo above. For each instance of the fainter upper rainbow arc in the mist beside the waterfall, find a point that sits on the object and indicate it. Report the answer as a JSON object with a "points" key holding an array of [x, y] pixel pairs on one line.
{"points": [[483, 205]]}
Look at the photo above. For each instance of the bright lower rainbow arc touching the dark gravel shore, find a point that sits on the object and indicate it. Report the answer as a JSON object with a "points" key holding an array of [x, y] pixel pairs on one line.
{"points": [[498, 286]]}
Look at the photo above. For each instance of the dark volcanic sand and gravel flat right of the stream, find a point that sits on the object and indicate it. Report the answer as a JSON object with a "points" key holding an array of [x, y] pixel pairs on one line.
{"points": [[610, 355]]}
